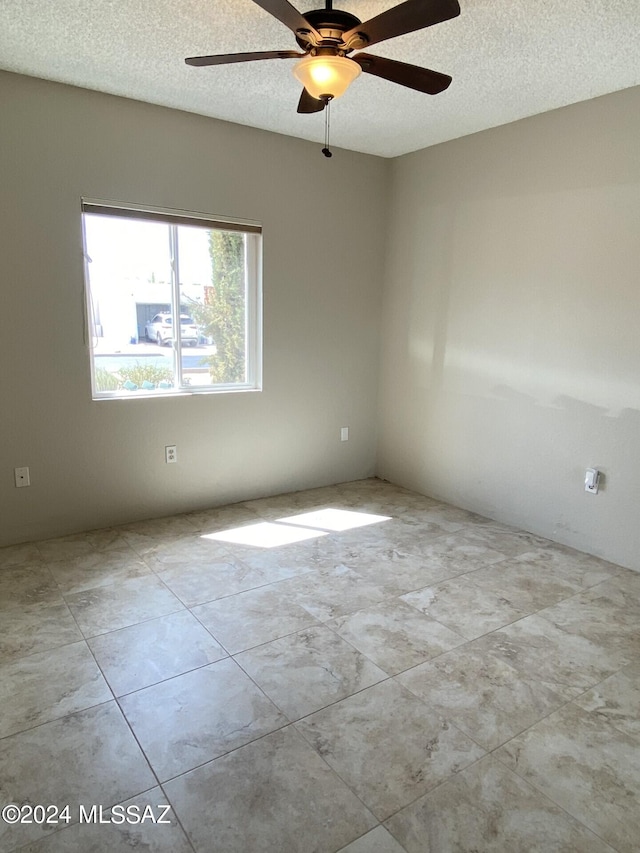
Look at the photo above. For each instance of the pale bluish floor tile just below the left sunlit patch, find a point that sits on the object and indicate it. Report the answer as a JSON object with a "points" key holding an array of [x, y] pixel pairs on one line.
{"points": [[197, 583]]}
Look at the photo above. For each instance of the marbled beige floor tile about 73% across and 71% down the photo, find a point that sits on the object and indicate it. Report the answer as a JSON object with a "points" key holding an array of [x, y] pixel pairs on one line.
{"points": [[464, 607]]}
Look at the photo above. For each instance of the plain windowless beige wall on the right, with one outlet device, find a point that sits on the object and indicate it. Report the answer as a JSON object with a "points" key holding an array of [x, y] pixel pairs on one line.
{"points": [[511, 324]]}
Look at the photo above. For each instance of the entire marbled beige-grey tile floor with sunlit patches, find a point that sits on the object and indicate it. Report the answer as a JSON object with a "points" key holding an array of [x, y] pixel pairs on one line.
{"points": [[355, 669]]}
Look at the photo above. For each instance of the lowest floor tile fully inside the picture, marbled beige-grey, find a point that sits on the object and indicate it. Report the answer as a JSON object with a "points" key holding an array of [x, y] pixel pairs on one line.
{"points": [[388, 746]]}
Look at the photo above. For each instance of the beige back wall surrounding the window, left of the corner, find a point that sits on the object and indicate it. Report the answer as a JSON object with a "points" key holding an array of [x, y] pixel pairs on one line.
{"points": [[97, 463]]}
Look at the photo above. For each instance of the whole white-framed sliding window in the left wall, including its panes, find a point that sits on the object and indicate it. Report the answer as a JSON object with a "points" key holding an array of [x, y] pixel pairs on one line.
{"points": [[173, 302]]}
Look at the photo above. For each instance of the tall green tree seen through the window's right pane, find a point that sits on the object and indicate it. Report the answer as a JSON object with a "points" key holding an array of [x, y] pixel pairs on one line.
{"points": [[222, 314]]}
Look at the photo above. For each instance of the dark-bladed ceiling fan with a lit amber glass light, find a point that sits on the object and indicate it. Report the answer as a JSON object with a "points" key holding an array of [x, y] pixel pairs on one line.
{"points": [[326, 37]]}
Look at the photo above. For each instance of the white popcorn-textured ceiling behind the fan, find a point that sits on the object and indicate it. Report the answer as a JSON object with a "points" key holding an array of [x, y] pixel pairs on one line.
{"points": [[508, 59]]}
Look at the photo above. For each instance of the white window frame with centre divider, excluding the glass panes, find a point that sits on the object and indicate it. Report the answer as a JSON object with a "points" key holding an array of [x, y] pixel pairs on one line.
{"points": [[253, 295]]}
